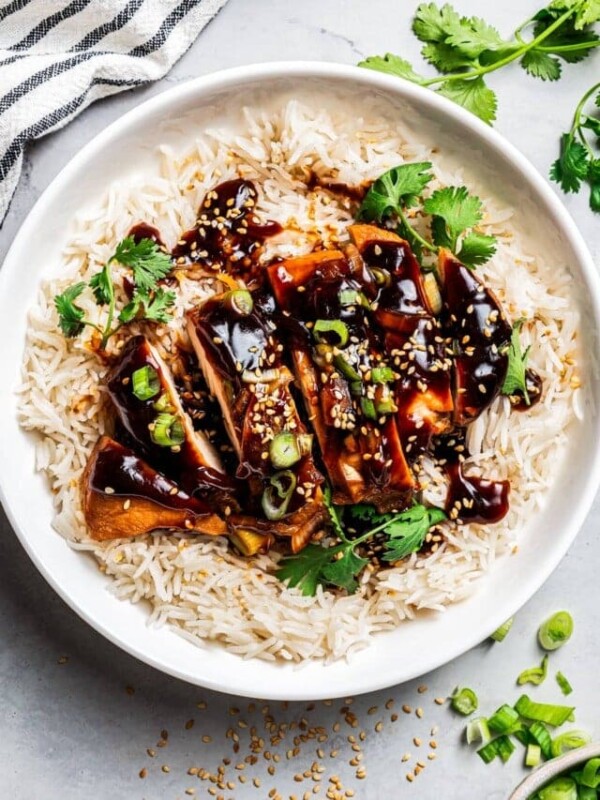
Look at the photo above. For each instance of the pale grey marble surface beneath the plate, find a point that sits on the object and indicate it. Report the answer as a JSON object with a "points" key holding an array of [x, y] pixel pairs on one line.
{"points": [[77, 714]]}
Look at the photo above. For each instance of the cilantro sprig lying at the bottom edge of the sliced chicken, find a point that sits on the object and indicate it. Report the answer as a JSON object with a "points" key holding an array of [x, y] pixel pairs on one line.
{"points": [[340, 565]]}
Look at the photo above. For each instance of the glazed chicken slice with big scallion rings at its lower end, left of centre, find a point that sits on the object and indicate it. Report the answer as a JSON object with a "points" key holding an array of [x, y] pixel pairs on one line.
{"points": [[234, 336]]}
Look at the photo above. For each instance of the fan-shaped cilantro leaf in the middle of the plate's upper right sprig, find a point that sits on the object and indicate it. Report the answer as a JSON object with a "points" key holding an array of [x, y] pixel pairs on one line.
{"points": [[454, 211]]}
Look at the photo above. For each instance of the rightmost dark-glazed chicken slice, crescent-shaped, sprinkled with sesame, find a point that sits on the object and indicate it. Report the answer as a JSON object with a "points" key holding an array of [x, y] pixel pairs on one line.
{"points": [[480, 334]]}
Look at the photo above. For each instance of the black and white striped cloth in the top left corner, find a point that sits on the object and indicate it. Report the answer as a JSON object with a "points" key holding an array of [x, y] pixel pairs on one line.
{"points": [[58, 56]]}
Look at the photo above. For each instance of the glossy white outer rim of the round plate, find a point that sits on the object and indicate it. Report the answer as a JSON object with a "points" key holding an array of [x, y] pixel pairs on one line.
{"points": [[223, 79]]}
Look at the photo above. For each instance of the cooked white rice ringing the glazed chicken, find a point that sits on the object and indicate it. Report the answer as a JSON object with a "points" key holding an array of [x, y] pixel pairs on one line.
{"points": [[197, 584]]}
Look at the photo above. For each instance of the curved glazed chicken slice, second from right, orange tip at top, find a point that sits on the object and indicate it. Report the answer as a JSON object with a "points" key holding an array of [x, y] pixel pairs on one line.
{"points": [[404, 311]]}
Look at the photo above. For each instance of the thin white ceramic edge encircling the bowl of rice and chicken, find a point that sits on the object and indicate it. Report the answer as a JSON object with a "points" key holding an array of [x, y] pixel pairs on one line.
{"points": [[355, 682]]}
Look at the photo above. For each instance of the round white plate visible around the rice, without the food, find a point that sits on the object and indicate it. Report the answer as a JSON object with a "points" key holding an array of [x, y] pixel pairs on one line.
{"points": [[128, 146]]}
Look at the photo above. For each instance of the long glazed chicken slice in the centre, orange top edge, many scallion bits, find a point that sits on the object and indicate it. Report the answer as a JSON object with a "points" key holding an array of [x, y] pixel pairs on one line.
{"points": [[345, 381]]}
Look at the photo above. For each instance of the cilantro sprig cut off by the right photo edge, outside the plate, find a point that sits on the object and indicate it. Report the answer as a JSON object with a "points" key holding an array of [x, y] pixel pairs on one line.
{"points": [[579, 160]]}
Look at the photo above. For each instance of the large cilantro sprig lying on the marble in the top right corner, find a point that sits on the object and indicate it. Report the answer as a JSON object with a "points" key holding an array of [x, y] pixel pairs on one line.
{"points": [[465, 49]]}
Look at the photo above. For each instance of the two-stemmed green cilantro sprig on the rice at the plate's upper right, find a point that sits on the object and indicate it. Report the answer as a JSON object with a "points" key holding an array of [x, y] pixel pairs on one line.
{"points": [[454, 213]]}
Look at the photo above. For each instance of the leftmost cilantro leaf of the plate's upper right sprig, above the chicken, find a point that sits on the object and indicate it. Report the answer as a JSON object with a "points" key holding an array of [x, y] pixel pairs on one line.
{"points": [[398, 187]]}
